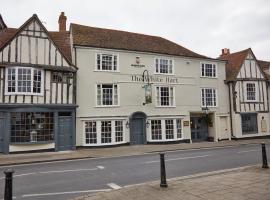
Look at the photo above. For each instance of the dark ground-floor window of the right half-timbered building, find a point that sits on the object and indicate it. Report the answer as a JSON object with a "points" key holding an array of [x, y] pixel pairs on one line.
{"points": [[249, 123]]}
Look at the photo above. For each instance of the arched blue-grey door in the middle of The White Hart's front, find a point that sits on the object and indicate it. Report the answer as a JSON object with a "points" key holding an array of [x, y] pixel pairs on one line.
{"points": [[138, 128]]}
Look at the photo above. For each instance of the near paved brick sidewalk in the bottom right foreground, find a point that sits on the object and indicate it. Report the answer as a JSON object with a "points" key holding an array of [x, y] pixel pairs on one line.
{"points": [[251, 183]]}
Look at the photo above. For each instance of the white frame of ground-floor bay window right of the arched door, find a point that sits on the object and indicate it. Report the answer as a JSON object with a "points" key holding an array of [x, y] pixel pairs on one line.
{"points": [[163, 129]]}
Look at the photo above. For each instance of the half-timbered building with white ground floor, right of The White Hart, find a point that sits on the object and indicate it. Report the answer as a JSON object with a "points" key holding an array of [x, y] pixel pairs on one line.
{"points": [[248, 93]]}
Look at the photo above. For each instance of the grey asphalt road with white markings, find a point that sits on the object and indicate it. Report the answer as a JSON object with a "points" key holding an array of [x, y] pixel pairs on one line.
{"points": [[69, 179]]}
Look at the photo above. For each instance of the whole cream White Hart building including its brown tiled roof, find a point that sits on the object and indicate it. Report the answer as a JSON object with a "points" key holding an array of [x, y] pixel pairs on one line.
{"points": [[111, 90]]}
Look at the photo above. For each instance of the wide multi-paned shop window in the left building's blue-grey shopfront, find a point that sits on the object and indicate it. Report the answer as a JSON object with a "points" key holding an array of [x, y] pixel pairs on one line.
{"points": [[31, 127]]}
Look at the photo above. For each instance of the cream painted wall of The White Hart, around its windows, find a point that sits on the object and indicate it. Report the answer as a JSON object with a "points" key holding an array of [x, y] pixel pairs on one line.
{"points": [[187, 90]]}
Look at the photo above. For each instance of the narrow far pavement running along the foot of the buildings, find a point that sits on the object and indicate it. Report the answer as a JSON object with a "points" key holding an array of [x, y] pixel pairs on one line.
{"points": [[115, 151]]}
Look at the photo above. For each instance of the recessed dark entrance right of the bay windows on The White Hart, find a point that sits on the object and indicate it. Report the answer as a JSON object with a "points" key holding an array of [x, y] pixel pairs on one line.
{"points": [[199, 131]]}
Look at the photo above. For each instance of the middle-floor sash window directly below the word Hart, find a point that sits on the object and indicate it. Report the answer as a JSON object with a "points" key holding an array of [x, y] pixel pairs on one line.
{"points": [[165, 96]]}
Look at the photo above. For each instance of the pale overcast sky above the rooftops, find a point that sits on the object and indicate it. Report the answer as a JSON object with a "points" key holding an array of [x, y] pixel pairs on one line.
{"points": [[204, 26]]}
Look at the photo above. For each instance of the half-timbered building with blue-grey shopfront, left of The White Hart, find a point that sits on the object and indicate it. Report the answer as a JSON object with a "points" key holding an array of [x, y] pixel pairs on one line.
{"points": [[37, 88]]}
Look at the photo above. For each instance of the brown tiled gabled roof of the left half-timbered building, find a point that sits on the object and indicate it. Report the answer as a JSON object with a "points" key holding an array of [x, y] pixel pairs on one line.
{"points": [[60, 39]]}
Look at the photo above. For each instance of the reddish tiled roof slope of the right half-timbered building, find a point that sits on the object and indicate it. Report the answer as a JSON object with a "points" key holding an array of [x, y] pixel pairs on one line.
{"points": [[234, 63]]}
